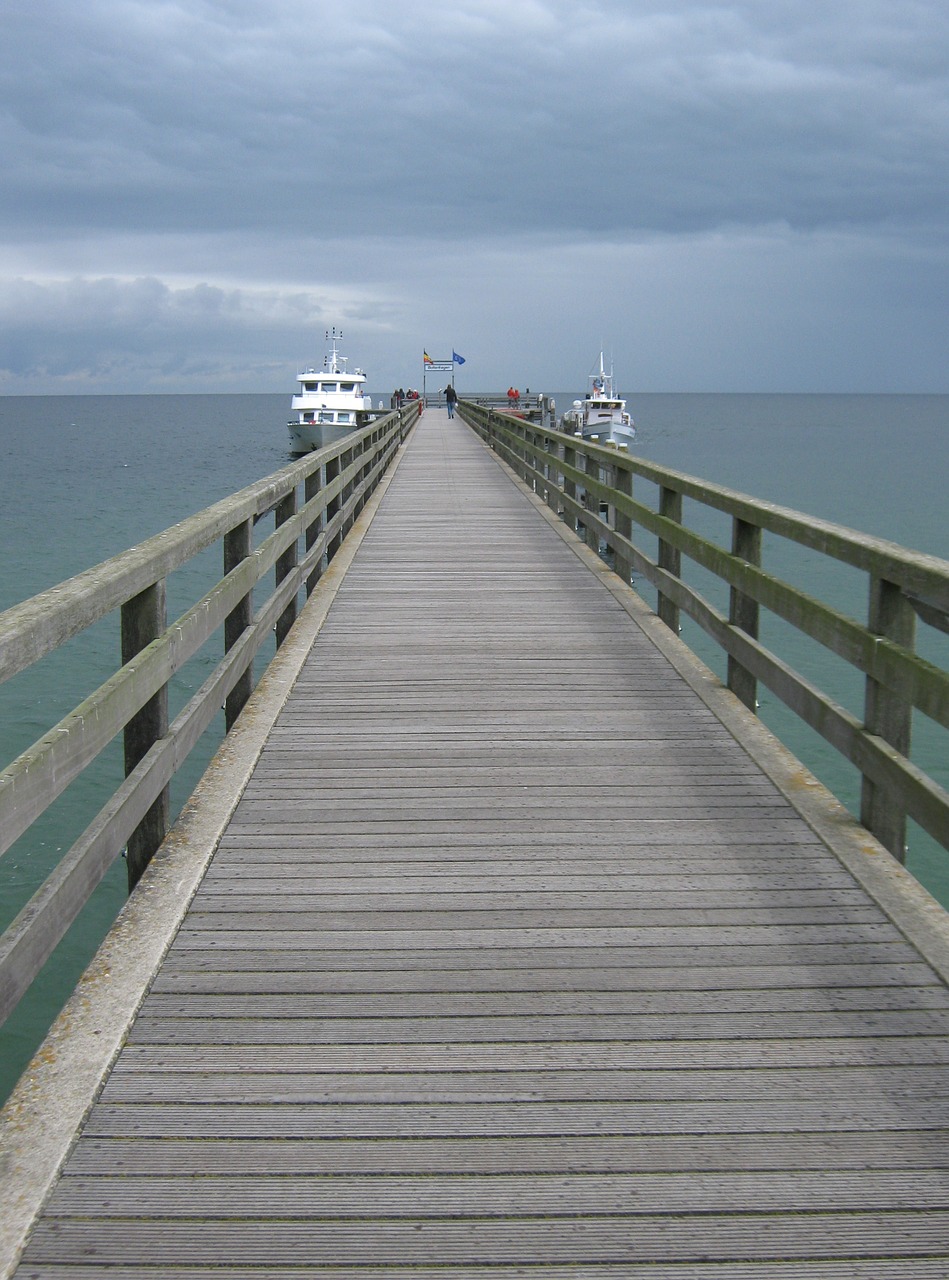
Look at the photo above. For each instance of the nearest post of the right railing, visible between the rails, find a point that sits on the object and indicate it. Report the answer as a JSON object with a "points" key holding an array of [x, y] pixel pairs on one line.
{"points": [[888, 715]]}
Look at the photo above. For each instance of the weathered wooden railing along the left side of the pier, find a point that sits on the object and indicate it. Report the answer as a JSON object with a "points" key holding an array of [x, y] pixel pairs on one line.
{"points": [[308, 532]]}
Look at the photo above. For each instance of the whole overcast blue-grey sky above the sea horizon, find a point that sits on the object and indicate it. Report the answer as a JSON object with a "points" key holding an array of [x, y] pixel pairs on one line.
{"points": [[733, 196]]}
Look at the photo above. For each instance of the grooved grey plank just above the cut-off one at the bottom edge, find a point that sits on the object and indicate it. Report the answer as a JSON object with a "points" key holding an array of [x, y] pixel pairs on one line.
{"points": [[513, 1242]]}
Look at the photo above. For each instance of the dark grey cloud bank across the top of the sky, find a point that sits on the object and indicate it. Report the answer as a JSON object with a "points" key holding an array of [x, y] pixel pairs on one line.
{"points": [[547, 116]]}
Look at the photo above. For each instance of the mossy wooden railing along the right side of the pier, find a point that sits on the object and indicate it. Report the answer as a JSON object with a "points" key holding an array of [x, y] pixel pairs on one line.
{"points": [[592, 487]]}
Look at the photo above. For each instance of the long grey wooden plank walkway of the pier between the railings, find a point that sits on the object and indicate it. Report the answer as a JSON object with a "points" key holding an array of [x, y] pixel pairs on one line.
{"points": [[514, 961]]}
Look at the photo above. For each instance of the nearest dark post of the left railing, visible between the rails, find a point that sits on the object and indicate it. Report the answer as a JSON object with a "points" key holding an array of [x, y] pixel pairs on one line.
{"points": [[144, 619]]}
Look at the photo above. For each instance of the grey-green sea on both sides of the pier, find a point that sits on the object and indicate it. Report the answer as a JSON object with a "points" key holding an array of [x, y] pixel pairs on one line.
{"points": [[88, 477]]}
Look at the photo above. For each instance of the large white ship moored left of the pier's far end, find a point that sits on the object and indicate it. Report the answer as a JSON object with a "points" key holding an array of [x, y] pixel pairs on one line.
{"points": [[331, 403]]}
